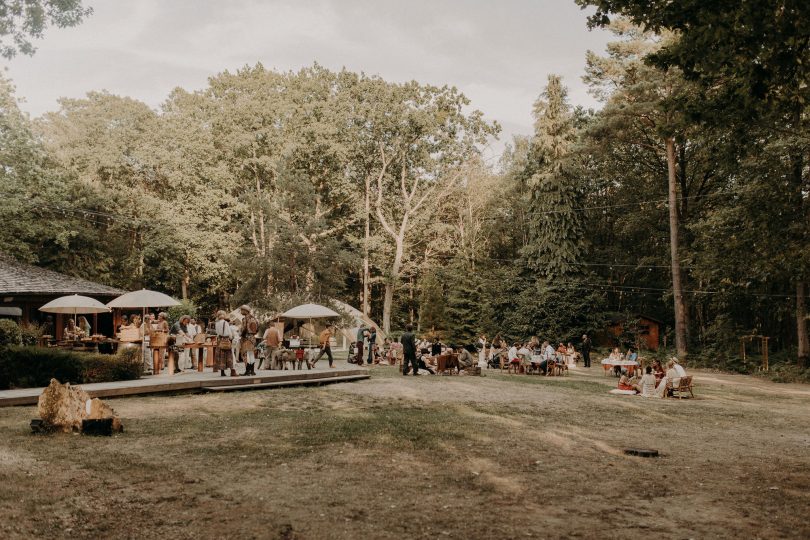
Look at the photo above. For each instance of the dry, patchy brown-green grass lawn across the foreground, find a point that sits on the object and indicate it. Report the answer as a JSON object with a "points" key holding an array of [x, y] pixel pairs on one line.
{"points": [[500, 456]]}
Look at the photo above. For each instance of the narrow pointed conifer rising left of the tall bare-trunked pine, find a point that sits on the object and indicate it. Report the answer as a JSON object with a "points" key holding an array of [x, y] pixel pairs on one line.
{"points": [[555, 229]]}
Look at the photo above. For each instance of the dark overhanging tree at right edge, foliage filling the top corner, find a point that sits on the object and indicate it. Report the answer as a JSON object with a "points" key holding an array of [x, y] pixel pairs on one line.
{"points": [[752, 60]]}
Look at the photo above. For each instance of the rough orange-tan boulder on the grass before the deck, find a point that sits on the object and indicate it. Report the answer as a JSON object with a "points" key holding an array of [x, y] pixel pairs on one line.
{"points": [[64, 407]]}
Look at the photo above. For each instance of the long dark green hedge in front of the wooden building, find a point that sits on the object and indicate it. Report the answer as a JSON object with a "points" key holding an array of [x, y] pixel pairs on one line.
{"points": [[29, 367]]}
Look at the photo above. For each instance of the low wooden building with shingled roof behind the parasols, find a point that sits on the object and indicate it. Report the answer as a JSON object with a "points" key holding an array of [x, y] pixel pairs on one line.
{"points": [[29, 287]]}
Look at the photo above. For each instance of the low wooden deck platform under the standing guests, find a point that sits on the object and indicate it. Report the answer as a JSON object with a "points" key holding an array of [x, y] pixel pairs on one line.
{"points": [[193, 381]]}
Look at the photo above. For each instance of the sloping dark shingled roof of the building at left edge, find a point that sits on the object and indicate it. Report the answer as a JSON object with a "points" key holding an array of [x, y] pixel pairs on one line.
{"points": [[20, 278]]}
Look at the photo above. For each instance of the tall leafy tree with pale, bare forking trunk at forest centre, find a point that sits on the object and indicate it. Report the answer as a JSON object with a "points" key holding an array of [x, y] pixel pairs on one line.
{"points": [[425, 135]]}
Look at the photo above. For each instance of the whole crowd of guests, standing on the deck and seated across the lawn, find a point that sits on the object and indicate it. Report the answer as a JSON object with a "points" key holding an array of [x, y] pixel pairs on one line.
{"points": [[237, 340]]}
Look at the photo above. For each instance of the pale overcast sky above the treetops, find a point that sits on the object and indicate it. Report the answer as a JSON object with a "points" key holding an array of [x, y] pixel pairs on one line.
{"points": [[499, 53]]}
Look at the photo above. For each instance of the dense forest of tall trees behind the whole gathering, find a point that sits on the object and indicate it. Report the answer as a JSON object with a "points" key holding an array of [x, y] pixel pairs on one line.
{"points": [[683, 197]]}
